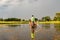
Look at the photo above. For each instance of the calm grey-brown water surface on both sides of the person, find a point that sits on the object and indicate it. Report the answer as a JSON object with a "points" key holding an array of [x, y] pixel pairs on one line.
{"points": [[23, 32]]}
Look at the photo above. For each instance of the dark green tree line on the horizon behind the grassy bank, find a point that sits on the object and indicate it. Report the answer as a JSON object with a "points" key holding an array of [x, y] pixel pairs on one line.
{"points": [[46, 18]]}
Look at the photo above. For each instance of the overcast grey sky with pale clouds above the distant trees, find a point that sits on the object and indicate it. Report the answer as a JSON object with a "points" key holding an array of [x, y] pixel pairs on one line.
{"points": [[25, 8]]}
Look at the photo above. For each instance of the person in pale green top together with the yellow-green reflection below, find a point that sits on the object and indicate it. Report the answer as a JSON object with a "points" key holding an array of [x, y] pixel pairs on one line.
{"points": [[32, 26]]}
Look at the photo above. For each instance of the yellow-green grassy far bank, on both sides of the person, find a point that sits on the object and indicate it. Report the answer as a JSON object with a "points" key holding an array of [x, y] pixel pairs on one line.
{"points": [[26, 22]]}
